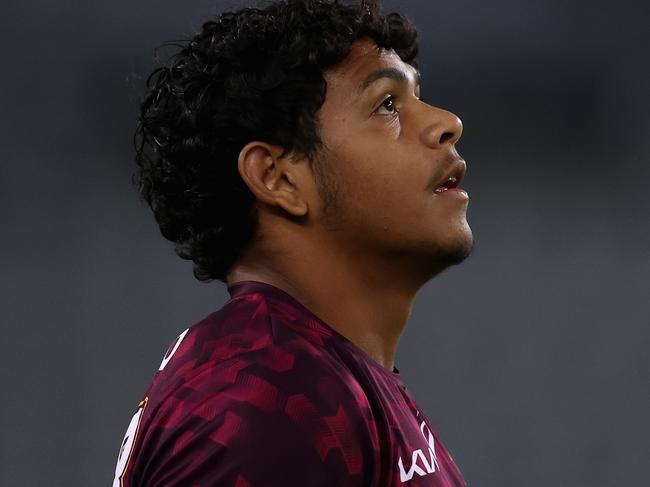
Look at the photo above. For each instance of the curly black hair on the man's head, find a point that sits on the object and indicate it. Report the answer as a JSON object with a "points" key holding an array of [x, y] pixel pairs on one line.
{"points": [[252, 74]]}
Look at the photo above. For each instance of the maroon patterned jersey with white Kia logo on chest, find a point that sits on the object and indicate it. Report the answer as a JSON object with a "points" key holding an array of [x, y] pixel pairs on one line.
{"points": [[264, 393]]}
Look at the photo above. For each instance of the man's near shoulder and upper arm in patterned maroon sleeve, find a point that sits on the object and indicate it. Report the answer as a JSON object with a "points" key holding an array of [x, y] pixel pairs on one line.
{"points": [[248, 394]]}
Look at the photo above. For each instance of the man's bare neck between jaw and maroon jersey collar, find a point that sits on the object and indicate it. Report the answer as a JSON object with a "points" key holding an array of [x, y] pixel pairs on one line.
{"points": [[365, 300]]}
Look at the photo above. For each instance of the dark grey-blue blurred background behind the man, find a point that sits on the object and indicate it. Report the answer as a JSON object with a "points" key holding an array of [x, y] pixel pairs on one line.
{"points": [[531, 358]]}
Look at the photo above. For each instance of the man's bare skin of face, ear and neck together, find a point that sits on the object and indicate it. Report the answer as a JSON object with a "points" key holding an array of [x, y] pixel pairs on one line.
{"points": [[359, 262]]}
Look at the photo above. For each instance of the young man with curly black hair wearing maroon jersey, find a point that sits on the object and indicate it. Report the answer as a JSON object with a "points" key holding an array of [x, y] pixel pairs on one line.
{"points": [[286, 151]]}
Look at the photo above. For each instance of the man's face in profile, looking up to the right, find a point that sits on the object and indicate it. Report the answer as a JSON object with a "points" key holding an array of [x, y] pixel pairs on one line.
{"points": [[389, 164]]}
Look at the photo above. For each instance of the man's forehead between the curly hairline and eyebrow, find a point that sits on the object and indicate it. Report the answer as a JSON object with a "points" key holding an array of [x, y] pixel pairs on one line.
{"points": [[365, 57]]}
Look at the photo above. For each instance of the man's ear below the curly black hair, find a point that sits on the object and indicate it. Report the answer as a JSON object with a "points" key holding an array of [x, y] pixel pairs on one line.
{"points": [[273, 180]]}
